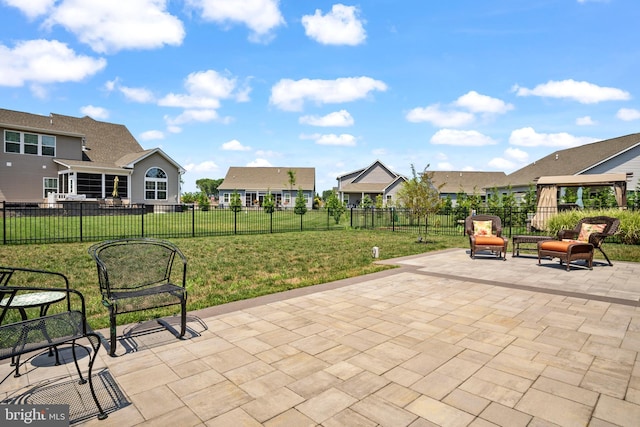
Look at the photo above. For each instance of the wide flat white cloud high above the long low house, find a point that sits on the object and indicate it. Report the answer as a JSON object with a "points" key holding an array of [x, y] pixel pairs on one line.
{"points": [[290, 95]]}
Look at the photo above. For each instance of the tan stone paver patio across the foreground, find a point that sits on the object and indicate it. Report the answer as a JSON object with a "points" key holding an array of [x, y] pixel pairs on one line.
{"points": [[442, 340]]}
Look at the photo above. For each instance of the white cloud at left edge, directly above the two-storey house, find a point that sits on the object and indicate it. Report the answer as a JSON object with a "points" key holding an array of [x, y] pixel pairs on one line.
{"points": [[44, 61]]}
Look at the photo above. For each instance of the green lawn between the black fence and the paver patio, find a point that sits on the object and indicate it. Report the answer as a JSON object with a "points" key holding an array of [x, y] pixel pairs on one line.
{"points": [[229, 268]]}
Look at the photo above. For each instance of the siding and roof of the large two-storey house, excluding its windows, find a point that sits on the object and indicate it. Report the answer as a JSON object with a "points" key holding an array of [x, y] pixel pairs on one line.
{"points": [[83, 147]]}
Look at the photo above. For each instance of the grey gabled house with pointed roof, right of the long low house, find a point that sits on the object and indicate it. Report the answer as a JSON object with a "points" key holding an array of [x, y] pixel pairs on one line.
{"points": [[376, 179]]}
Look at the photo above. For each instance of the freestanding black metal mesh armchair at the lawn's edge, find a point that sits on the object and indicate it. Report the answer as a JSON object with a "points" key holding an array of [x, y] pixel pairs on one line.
{"points": [[135, 275]]}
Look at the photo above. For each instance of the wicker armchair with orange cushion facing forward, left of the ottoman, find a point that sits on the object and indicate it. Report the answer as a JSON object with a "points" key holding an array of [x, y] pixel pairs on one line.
{"points": [[484, 233]]}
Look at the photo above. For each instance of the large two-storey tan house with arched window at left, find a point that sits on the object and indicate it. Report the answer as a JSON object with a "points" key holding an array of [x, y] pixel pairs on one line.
{"points": [[56, 158]]}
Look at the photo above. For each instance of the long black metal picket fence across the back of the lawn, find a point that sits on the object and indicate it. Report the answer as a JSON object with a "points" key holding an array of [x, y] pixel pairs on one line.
{"points": [[86, 221]]}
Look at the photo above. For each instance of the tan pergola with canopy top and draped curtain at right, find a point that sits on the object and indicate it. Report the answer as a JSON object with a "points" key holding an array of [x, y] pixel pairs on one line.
{"points": [[547, 192]]}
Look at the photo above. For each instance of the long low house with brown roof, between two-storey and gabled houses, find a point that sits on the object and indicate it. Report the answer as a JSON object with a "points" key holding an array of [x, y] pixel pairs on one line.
{"points": [[253, 183]]}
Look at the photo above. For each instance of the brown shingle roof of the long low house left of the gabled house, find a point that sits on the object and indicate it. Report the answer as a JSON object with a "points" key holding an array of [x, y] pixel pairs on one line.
{"points": [[272, 178]]}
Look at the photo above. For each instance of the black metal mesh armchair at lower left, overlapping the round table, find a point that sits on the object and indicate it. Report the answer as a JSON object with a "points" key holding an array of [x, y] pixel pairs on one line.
{"points": [[66, 326]]}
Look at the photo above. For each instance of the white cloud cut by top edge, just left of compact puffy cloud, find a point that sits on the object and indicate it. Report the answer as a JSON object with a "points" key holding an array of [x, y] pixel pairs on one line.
{"points": [[261, 16]]}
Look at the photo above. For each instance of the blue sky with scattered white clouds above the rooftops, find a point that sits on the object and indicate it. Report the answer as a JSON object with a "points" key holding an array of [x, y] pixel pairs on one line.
{"points": [[487, 85]]}
